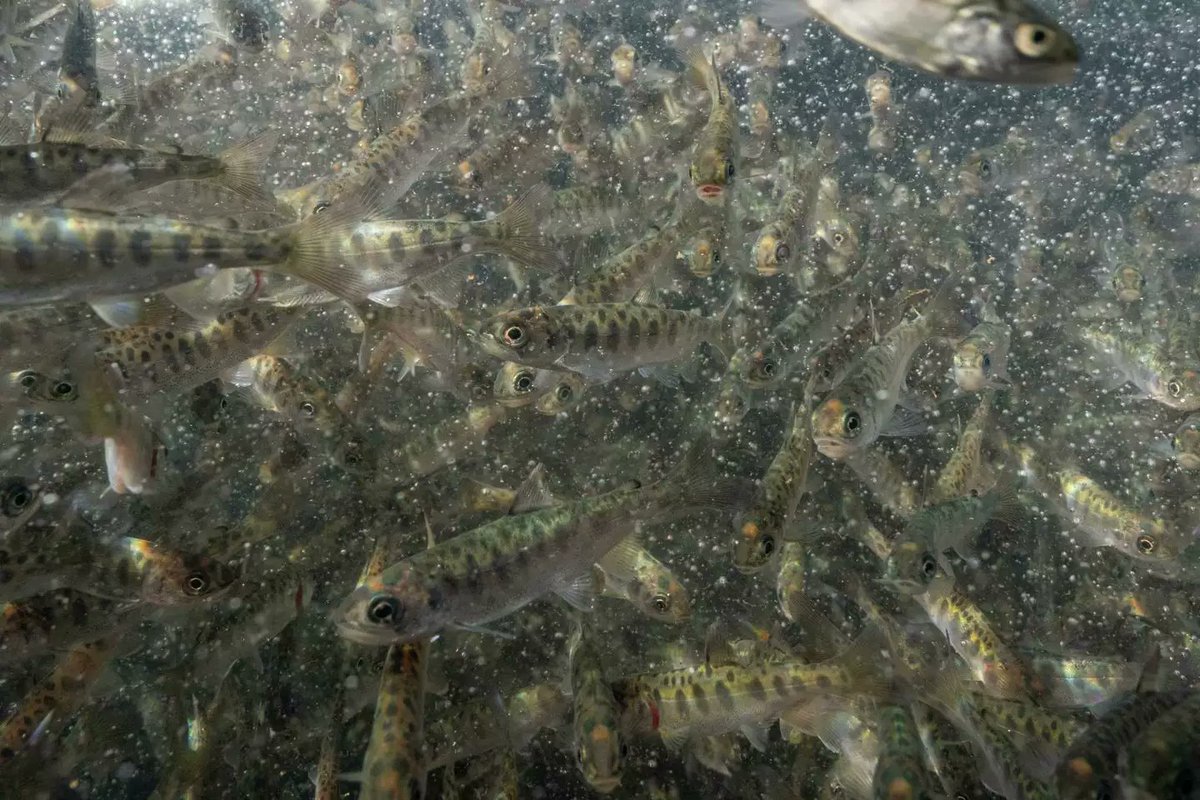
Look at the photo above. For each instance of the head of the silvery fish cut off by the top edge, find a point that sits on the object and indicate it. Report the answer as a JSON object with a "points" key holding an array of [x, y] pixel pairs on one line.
{"points": [[1018, 45]]}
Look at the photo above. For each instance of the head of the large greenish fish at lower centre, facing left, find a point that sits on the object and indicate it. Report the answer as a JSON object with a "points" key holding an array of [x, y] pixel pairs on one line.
{"points": [[379, 613]]}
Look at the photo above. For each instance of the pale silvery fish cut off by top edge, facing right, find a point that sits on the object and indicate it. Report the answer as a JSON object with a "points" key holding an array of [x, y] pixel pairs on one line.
{"points": [[1001, 41]]}
